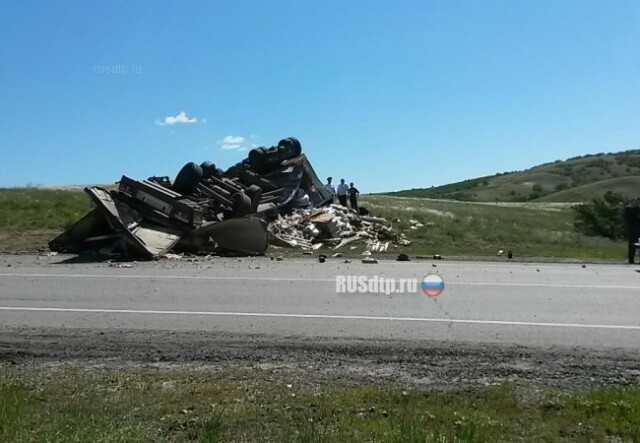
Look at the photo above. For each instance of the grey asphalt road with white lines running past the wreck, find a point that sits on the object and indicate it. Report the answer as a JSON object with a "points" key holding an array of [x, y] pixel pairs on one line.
{"points": [[542, 305]]}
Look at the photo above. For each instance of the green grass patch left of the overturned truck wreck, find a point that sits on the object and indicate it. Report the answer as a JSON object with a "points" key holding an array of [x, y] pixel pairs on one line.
{"points": [[25, 209]]}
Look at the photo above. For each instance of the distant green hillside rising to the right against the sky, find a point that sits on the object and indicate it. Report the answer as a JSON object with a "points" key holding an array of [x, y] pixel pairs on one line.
{"points": [[576, 179]]}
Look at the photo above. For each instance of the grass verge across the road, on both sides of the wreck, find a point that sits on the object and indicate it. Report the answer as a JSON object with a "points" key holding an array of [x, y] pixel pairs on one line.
{"points": [[29, 217]]}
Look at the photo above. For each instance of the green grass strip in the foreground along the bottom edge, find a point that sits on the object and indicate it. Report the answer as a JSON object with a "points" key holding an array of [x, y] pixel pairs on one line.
{"points": [[82, 405]]}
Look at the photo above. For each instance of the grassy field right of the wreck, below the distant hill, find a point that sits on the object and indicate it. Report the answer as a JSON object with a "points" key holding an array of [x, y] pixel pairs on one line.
{"points": [[481, 229]]}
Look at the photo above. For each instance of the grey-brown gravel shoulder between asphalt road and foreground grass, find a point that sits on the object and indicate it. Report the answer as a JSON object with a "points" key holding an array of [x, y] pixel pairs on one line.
{"points": [[426, 364]]}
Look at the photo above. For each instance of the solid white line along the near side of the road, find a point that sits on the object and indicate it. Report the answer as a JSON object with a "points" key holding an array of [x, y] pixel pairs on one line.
{"points": [[317, 316]]}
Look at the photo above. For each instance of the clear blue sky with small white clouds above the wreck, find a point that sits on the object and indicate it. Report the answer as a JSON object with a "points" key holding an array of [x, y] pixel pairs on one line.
{"points": [[388, 94]]}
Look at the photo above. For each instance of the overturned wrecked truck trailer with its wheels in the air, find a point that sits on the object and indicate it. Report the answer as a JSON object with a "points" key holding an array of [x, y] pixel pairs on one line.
{"points": [[204, 209]]}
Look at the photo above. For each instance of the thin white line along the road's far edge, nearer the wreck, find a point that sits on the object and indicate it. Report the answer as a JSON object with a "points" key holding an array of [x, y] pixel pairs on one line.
{"points": [[304, 279]]}
